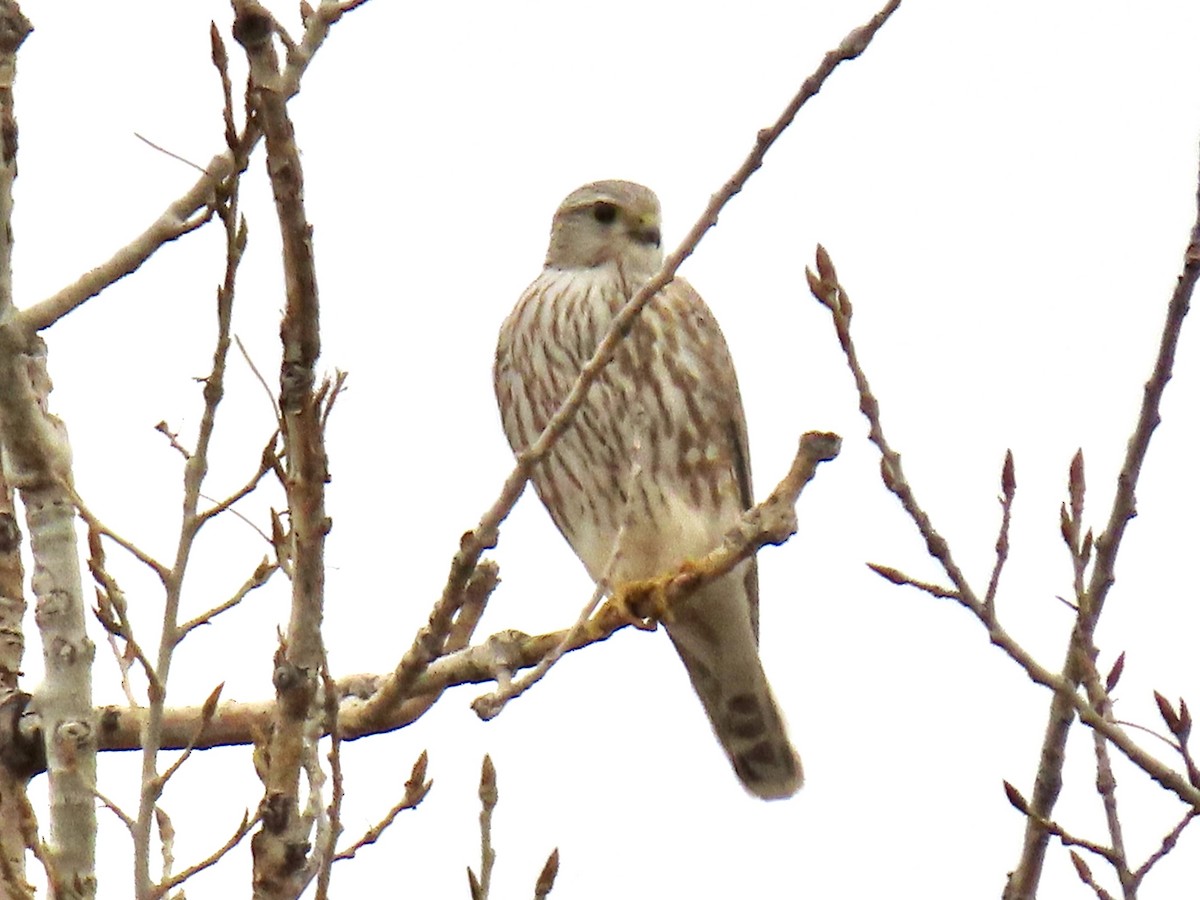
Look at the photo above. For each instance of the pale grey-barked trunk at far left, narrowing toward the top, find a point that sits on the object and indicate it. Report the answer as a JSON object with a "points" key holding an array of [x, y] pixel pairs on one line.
{"points": [[38, 464]]}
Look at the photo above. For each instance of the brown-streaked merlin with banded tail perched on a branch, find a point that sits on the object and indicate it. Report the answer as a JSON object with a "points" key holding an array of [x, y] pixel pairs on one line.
{"points": [[655, 469]]}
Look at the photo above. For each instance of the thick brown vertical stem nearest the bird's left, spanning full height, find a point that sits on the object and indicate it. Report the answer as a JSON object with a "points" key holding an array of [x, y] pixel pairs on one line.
{"points": [[285, 836]]}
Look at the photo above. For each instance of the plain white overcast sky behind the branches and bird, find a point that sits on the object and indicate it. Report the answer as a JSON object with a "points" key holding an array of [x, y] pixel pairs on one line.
{"points": [[1006, 191]]}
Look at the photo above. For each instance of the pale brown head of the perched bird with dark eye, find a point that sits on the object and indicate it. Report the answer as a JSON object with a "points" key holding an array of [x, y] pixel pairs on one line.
{"points": [[608, 221]]}
